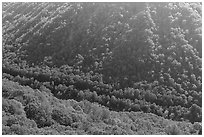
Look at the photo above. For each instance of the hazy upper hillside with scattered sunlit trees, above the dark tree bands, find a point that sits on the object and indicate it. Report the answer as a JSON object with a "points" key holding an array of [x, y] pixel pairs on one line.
{"points": [[143, 41]]}
